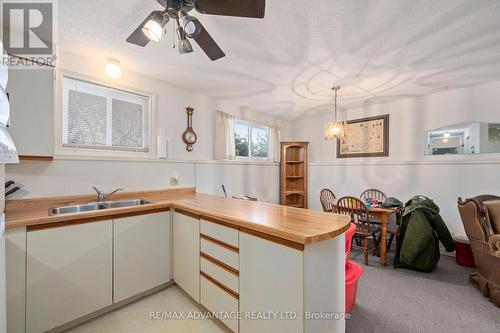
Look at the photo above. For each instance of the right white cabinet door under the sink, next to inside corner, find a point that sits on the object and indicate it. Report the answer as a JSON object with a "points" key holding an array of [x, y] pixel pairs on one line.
{"points": [[141, 254]]}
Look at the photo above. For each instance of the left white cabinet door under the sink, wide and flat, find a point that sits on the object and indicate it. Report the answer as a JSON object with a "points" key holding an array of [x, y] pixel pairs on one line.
{"points": [[69, 273]]}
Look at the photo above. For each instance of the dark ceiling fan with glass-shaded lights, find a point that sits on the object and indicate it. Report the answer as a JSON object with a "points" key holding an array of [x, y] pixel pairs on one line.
{"points": [[188, 26]]}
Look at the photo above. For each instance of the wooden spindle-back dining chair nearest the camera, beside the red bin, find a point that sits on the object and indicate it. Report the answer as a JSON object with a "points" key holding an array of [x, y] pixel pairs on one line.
{"points": [[360, 216]]}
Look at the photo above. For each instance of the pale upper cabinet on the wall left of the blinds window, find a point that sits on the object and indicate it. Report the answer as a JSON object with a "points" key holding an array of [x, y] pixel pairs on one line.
{"points": [[31, 97]]}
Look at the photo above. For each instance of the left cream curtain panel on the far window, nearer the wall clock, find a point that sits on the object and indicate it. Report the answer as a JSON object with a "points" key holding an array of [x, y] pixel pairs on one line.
{"points": [[224, 137]]}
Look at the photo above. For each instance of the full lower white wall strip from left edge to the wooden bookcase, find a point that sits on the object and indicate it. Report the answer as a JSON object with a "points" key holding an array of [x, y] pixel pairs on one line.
{"points": [[70, 177]]}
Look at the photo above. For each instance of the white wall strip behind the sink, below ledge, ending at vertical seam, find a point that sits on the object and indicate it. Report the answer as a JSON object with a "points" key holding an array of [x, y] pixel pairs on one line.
{"points": [[72, 177]]}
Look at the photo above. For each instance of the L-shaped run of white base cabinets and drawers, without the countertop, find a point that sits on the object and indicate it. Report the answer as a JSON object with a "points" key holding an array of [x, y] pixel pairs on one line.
{"points": [[59, 274]]}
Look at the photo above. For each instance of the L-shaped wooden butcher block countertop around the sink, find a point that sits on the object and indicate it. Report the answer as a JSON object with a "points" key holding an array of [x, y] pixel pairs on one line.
{"points": [[292, 224]]}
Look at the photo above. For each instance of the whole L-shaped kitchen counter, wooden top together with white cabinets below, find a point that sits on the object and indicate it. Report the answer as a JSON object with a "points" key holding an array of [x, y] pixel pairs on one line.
{"points": [[229, 255]]}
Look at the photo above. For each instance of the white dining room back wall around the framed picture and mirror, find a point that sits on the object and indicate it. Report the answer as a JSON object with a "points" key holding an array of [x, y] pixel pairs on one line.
{"points": [[407, 172]]}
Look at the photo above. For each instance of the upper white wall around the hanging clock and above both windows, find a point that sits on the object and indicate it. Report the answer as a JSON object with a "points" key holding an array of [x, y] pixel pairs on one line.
{"points": [[171, 106]]}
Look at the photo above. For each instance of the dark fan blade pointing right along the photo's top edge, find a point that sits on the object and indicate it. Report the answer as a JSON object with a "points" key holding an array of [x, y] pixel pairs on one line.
{"points": [[242, 8]]}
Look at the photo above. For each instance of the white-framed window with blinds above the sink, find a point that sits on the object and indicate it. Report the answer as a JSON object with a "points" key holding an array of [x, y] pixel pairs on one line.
{"points": [[103, 118]]}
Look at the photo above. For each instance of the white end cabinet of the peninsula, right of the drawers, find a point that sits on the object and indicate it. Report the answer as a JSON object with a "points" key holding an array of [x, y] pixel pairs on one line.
{"points": [[295, 289]]}
